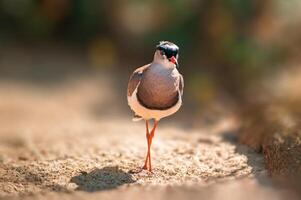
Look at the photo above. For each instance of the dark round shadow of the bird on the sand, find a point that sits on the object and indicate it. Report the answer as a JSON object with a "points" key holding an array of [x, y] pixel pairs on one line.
{"points": [[102, 179]]}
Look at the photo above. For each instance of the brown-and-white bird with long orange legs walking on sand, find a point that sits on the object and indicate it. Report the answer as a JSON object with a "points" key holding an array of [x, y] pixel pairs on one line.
{"points": [[155, 91]]}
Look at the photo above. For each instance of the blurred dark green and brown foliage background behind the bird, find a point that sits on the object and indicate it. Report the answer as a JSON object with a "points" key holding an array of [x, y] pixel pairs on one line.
{"points": [[226, 46]]}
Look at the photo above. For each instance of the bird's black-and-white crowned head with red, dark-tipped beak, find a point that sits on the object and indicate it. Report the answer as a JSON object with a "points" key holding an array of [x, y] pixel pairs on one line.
{"points": [[167, 52]]}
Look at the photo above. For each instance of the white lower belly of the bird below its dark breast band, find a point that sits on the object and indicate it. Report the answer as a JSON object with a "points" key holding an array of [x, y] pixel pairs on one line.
{"points": [[146, 113]]}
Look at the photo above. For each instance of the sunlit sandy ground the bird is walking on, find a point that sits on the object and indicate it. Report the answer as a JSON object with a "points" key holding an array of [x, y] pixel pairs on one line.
{"points": [[72, 141]]}
